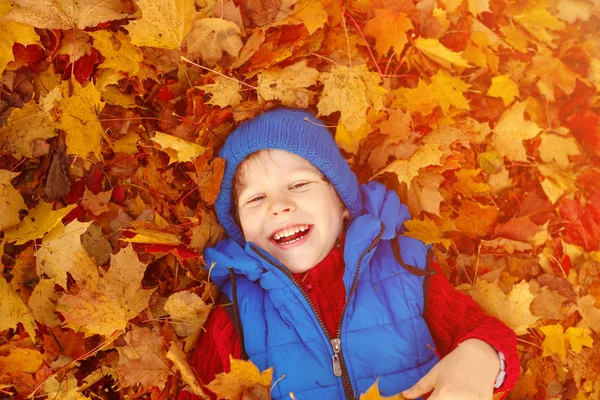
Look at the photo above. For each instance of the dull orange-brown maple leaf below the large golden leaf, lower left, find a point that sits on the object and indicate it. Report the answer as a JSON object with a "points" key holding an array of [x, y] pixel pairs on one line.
{"points": [[143, 359]]}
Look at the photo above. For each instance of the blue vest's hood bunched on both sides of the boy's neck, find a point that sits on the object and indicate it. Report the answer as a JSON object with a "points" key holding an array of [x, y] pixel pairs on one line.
{"points": [[381, 208]]}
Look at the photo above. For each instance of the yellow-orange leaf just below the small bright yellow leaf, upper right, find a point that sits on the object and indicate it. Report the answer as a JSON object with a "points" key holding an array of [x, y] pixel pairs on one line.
{"points": [[510, 132]]}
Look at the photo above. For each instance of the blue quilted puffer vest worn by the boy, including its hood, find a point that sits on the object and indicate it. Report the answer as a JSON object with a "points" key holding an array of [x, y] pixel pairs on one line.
{"points": [[383, 334]]}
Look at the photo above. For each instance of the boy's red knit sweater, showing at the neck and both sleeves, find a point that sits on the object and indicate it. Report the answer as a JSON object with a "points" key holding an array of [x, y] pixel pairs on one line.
{"points": [[452, 317]]}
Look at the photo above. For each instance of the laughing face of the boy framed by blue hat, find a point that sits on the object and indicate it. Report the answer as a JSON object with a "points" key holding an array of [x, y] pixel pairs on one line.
{"points": [[282, 193]]}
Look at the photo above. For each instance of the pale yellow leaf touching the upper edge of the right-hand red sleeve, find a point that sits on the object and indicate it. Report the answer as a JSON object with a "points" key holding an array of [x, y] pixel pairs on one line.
{"points": [[513, 309]]}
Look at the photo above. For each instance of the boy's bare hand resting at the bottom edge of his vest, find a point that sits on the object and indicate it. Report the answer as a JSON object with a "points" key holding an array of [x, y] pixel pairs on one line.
{"points": [[467, 373]]}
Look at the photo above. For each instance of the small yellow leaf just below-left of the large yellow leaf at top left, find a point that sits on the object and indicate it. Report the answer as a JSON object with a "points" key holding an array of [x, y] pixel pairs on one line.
{"points": [[118, 52]]}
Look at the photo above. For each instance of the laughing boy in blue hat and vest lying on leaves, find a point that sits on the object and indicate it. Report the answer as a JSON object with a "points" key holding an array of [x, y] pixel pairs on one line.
{"points": [[324, 287]]}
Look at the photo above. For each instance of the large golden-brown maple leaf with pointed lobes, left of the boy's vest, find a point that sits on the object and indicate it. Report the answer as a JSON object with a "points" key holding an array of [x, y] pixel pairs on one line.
{"points": [[107, 300]]}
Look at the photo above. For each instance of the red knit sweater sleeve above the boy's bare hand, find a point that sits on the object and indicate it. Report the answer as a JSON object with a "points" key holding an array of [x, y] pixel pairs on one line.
{"points": [[454, 317]]}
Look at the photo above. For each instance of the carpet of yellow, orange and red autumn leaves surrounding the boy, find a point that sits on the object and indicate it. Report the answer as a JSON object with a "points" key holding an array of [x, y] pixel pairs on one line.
{"points": [[482, 114]]}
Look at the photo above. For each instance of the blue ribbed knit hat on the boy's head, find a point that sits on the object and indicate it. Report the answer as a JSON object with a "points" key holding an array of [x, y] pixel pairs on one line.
{"points": [[298, 132]]}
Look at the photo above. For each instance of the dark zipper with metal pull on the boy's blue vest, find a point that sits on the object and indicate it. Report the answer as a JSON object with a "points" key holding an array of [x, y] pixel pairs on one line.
{"points": [[338, 362]]}
